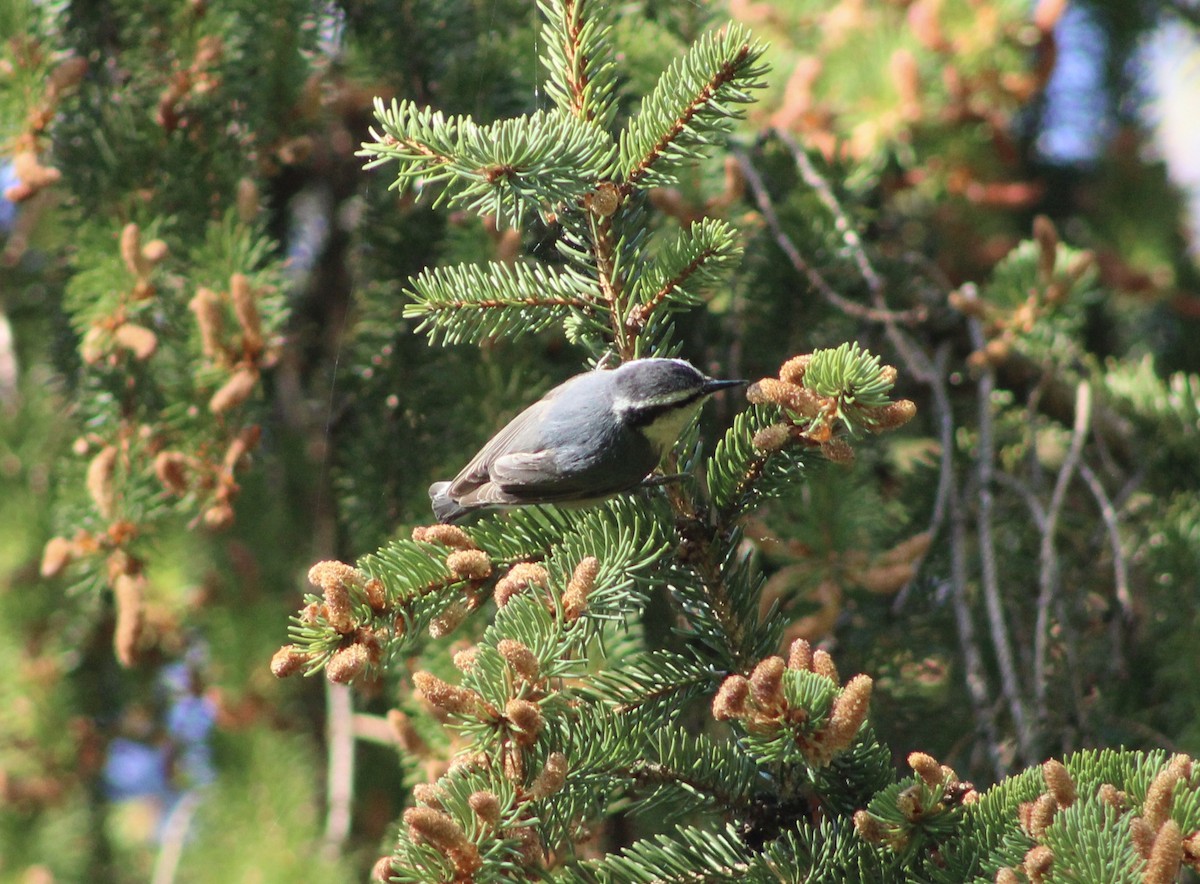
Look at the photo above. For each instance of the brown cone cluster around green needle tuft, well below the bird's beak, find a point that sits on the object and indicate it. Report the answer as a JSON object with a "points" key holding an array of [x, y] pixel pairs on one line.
{"points": [[760, 702]]}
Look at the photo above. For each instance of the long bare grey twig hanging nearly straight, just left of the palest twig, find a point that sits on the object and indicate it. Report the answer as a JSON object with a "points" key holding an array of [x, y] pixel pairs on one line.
{"points": [[997, 623]]}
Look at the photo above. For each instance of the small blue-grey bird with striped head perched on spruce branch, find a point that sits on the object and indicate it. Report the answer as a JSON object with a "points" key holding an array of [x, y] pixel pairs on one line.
{"points": [[595, 436]]}
